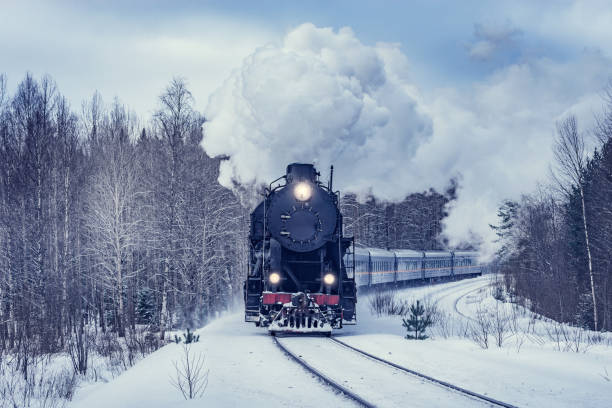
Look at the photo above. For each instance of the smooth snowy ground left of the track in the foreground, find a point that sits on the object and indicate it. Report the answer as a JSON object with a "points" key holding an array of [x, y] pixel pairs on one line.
{"points": [[245, 369]]}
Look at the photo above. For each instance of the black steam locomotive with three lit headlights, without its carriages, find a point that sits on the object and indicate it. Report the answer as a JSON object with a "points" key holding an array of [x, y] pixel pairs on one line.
{"points": [[297, 279]]}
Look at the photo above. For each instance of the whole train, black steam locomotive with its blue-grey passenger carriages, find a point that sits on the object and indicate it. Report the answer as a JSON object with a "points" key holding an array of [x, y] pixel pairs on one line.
{"points": [[303, 273]]}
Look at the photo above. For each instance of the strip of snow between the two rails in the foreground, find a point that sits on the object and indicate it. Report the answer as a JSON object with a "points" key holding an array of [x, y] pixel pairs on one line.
{"points": [[381, 385]]}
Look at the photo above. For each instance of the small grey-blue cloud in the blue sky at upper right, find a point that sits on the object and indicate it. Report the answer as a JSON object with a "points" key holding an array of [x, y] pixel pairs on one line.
{"points": [[490, 38]]}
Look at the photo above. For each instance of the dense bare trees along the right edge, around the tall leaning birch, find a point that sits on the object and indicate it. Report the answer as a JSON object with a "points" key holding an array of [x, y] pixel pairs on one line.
{"points": [[556, 243]]}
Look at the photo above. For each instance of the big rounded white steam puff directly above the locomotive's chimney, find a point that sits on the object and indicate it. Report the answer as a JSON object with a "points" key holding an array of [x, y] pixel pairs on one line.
{"points": [[325, 98]]}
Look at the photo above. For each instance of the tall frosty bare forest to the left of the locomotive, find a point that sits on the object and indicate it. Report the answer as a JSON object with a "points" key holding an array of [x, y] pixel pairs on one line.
{"points": [[108, 222]]}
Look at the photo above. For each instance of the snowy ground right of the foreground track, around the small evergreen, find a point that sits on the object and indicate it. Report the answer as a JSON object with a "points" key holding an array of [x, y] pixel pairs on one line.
{"points": [[535, 374]]}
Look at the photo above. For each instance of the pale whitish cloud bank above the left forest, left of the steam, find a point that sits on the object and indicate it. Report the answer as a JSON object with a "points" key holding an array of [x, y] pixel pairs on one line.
{"points": [[129, 53]]}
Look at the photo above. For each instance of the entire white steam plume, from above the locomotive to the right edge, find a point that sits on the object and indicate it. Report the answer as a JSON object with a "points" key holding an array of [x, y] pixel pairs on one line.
{"points": [[323, 96]]}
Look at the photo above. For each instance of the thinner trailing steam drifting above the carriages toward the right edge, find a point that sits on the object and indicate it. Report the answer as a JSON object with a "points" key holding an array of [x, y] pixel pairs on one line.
{"points": [[498, 134]]}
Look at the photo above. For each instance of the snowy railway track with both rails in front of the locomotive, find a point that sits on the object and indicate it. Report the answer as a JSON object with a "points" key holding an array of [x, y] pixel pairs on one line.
{"points": [[364, 382]]}
